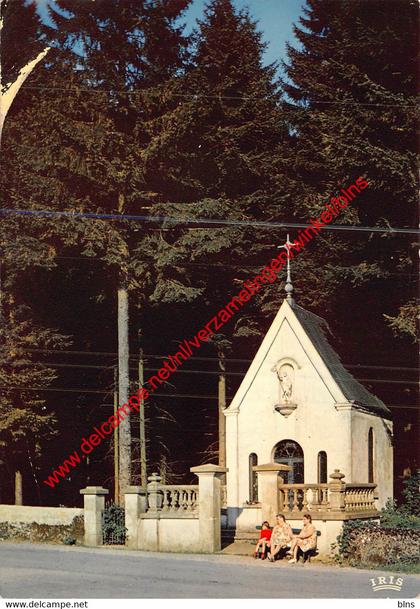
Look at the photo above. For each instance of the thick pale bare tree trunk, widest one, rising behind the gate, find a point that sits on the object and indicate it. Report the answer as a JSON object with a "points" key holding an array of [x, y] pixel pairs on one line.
{"points": [[123, 389]]}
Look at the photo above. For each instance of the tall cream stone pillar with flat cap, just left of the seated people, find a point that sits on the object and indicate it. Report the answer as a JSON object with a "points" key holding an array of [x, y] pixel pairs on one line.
{"points": [[209, 482]]}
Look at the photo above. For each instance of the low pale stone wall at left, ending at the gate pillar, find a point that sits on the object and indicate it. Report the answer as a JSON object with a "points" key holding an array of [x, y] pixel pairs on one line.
{"points": [[44, 524]]}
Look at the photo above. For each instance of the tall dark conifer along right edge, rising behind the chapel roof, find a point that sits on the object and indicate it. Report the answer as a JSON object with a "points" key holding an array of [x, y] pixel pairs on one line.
{"points": [[352, 85]]}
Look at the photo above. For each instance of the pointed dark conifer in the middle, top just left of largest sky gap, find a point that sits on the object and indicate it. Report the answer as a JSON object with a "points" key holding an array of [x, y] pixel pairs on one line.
{"points": [[219, 155]]}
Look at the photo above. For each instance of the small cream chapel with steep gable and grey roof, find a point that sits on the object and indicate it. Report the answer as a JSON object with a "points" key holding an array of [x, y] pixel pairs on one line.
{"points": [[298, 406]]}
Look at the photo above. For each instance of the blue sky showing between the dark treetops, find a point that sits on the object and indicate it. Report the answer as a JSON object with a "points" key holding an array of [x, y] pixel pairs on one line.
{"points": [[275, 20]]}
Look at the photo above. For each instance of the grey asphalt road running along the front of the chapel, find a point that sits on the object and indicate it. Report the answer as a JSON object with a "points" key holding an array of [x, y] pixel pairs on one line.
{"points": [[47, 571]]}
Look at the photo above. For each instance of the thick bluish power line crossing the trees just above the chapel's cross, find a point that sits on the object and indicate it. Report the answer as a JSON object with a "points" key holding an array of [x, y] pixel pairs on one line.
{"points": [[209, 221]]}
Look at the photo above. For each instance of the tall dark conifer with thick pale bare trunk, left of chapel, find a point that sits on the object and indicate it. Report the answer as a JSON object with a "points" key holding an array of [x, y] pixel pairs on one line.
{"points": [[110, 58]]}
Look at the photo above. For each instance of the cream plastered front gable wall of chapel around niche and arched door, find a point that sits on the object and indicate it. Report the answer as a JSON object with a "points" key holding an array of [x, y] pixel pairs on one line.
{"points": [[315, 424]]}
